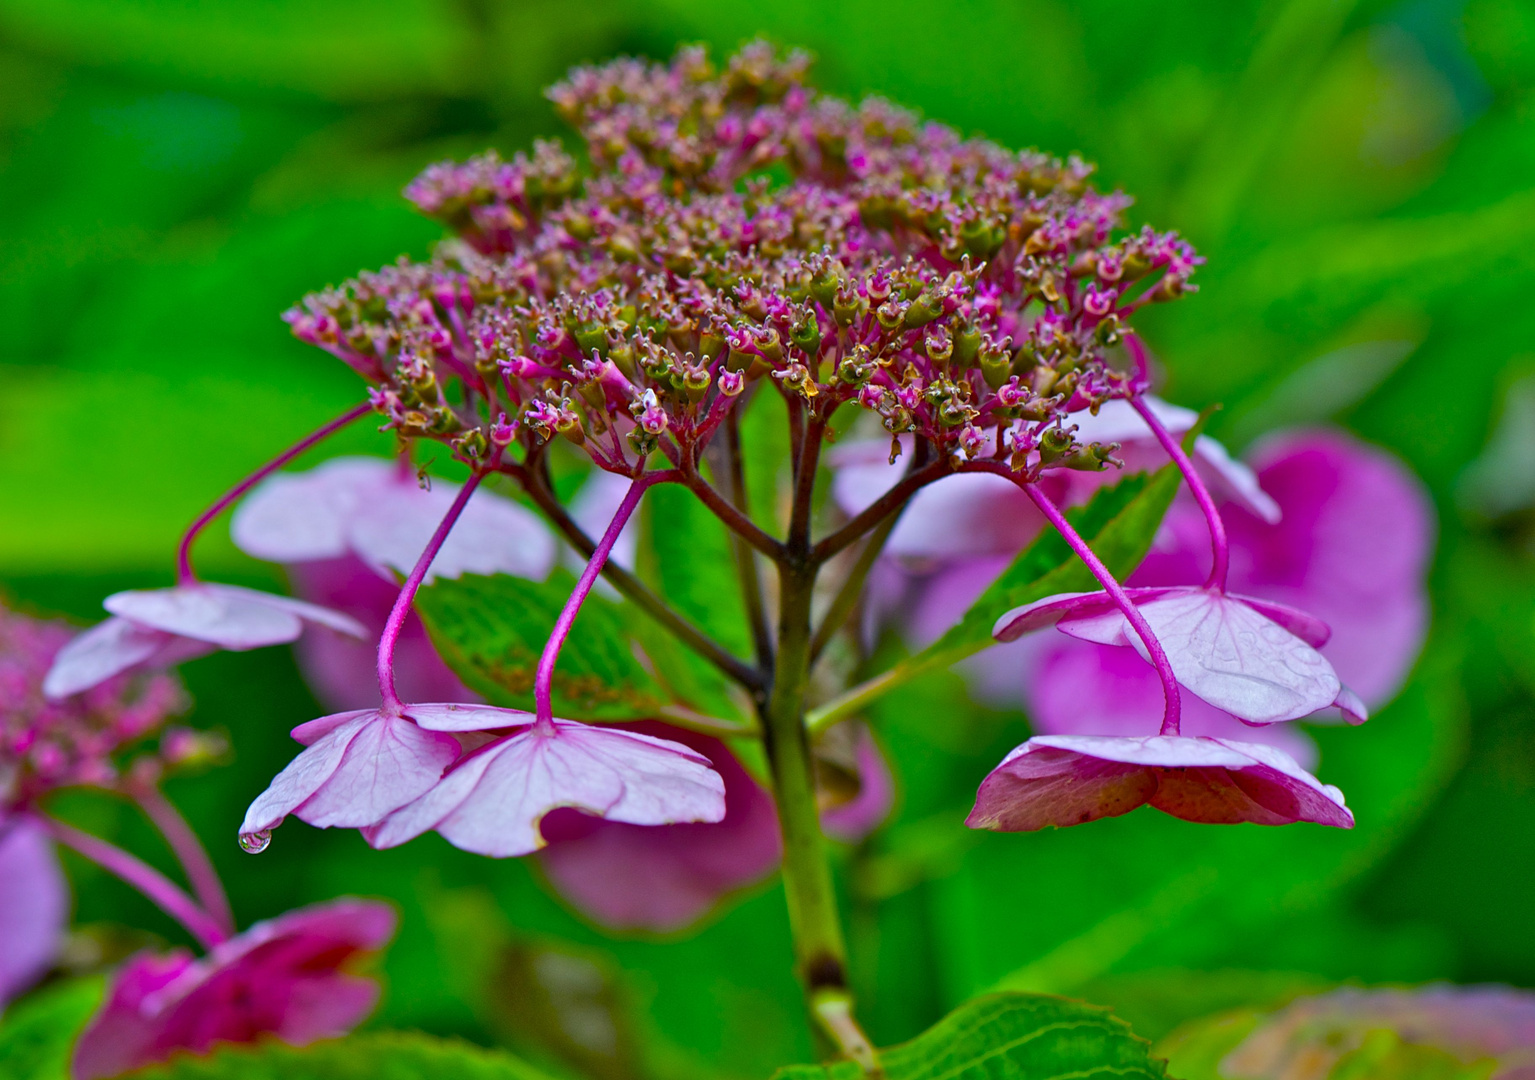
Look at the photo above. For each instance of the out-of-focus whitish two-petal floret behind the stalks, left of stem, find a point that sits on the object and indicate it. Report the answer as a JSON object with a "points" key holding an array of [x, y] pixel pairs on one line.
{"points": [[371, 509]]}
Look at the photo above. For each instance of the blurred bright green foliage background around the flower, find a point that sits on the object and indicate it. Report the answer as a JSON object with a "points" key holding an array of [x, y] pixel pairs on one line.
{"points": [[176, 173]]}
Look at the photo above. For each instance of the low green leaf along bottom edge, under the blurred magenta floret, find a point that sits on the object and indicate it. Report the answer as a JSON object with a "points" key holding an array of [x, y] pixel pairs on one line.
{"points": [[385, 1056]]}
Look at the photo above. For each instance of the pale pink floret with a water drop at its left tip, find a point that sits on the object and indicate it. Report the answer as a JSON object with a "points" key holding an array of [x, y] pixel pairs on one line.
{"points": [[355, 771]]}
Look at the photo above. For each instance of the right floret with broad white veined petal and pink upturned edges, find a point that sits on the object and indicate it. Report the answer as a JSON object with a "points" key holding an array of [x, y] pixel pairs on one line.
{"points": [[1249, 657]]}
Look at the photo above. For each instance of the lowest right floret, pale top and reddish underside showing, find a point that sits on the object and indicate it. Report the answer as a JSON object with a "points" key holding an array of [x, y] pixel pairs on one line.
{"points": [[1068, 780]]}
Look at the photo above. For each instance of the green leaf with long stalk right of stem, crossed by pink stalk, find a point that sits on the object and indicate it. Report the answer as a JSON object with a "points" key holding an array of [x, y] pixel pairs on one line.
{"points": [[1120, 524]]}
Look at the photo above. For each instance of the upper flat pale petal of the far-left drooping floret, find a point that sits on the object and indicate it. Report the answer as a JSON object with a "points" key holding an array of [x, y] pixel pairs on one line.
{"points": [[223, 617]]}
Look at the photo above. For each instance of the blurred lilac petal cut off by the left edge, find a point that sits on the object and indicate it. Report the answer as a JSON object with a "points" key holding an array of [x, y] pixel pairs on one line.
{"points": [[35, 906]]}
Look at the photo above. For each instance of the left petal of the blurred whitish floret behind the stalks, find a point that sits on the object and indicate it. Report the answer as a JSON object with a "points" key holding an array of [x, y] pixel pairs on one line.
{"points": [[303, 516]]}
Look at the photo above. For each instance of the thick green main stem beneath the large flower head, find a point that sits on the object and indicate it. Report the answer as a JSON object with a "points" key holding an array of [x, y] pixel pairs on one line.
{"points": [[820, 952]]}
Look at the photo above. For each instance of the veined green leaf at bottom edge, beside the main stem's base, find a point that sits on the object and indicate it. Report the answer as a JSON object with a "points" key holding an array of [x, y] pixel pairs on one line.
{"points": [[1012, 1038]]}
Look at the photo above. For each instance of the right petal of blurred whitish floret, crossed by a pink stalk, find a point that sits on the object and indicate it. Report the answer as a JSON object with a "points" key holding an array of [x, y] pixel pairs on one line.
{"points": [[494, 536]]}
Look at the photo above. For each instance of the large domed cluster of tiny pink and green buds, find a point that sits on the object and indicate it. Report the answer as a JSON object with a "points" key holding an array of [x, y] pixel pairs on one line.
{"points": [[963, 294]]}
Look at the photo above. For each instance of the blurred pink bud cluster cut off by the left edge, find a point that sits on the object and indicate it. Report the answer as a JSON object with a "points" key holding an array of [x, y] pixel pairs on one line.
{"points": [[79, 742]]}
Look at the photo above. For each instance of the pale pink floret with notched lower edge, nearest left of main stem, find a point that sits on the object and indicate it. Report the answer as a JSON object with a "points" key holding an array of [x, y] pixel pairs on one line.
{"points": [[492, 803]]}
